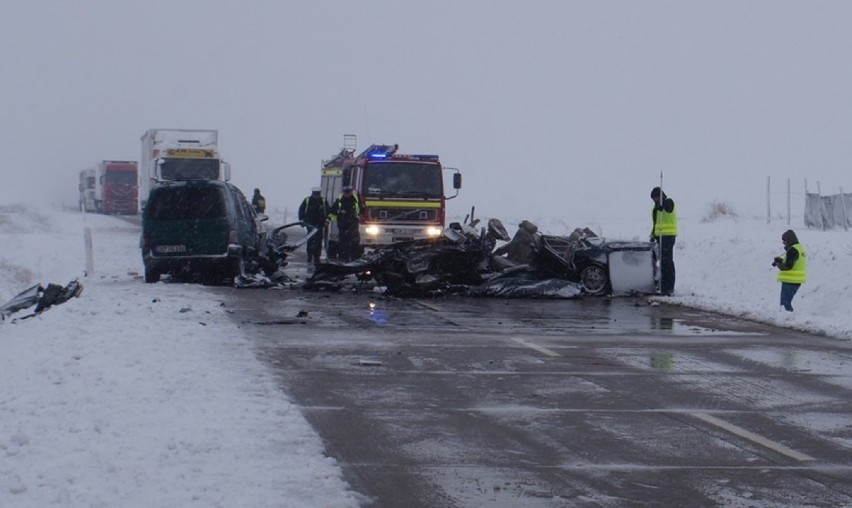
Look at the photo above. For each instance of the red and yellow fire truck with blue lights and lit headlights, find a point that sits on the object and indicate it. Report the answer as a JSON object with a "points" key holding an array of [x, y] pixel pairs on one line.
{"points": [[402, 196]]}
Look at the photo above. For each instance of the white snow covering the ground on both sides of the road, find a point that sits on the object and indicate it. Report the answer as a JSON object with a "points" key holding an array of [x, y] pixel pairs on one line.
{"points": [[144, 395]]}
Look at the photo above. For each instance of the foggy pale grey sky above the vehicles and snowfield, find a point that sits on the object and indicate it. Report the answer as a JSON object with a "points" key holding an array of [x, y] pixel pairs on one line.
{"points": [[549, 108]]}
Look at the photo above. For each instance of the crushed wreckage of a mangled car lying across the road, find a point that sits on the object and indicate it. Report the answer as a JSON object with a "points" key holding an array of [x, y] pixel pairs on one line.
{"points": [[463, 261]]}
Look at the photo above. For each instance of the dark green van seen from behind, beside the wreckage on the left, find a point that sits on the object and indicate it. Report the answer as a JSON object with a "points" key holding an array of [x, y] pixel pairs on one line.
{"points": [[197, 228]]}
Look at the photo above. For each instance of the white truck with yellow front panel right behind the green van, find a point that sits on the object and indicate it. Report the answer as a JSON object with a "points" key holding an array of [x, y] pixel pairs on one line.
{"points": [[179, 154]]}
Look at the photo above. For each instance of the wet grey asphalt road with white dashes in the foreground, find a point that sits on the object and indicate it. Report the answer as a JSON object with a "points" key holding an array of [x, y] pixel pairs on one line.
{"points": [[595, 402]]}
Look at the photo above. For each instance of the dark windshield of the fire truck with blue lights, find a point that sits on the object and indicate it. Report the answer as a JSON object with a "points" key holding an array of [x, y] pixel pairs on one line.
{"points": [[403, 179]]}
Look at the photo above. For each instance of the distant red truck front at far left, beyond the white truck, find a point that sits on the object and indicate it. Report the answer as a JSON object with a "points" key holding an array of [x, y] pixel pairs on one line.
{"points": [[116, 187]]}
